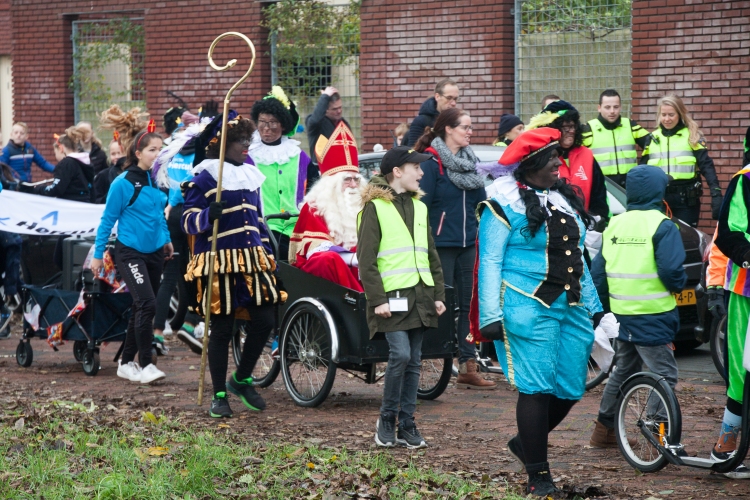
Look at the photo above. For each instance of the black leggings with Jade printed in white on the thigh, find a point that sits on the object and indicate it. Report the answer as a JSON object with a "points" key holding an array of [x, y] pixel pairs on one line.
{"points": [[141, 272]]}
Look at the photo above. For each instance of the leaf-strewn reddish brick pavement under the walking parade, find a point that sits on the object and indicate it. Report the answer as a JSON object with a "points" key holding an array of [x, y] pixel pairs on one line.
{"points": [[466, 430]]}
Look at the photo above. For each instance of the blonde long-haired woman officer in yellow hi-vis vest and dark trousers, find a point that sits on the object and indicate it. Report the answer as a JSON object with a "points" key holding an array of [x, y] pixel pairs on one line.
{"points": [[679, 149]]}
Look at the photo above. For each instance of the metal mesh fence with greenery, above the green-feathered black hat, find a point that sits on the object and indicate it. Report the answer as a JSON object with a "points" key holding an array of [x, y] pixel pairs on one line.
{"points": [[304, 69]]}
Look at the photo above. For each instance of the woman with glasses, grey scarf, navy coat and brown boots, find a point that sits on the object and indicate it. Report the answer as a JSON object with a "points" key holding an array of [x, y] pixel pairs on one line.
{"points": [[453, 189]]}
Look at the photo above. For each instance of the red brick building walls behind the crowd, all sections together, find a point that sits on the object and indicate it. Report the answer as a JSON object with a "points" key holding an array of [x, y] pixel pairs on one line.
{"points": [[700, 50]]}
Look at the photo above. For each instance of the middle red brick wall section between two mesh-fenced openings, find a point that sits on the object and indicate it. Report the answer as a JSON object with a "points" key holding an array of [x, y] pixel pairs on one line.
{"points": [[408, 46]]}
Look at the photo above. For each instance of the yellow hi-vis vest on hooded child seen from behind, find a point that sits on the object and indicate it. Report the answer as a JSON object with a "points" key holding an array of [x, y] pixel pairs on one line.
{"points": [[628, 249]]}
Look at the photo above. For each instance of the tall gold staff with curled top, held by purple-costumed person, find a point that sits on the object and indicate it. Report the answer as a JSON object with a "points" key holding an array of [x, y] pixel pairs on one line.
{"points": [[212, 255]]}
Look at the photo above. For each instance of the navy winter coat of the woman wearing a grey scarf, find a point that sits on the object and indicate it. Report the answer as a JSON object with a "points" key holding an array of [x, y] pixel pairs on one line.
{"points": [[451, 210]]}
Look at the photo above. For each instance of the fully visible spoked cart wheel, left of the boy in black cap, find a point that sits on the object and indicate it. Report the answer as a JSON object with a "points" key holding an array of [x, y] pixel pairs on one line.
{"points": [[306, 361]]}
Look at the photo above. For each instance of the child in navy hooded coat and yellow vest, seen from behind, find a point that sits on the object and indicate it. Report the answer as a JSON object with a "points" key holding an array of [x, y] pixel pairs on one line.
{"points": [[636, 274]]}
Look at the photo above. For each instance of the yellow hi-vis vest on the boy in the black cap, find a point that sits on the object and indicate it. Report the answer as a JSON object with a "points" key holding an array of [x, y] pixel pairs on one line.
{"points": [[402, 260]]}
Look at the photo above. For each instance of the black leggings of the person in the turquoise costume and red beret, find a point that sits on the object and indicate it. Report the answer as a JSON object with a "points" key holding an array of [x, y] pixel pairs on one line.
{"points": [[536, 416]]}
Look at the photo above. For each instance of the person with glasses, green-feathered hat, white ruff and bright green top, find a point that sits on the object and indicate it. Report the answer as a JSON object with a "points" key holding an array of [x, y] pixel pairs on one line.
{"points": [[281, 160]]}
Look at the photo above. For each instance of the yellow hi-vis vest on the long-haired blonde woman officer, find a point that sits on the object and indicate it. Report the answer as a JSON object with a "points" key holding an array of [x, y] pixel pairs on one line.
{"points": [[673, 154]]}
